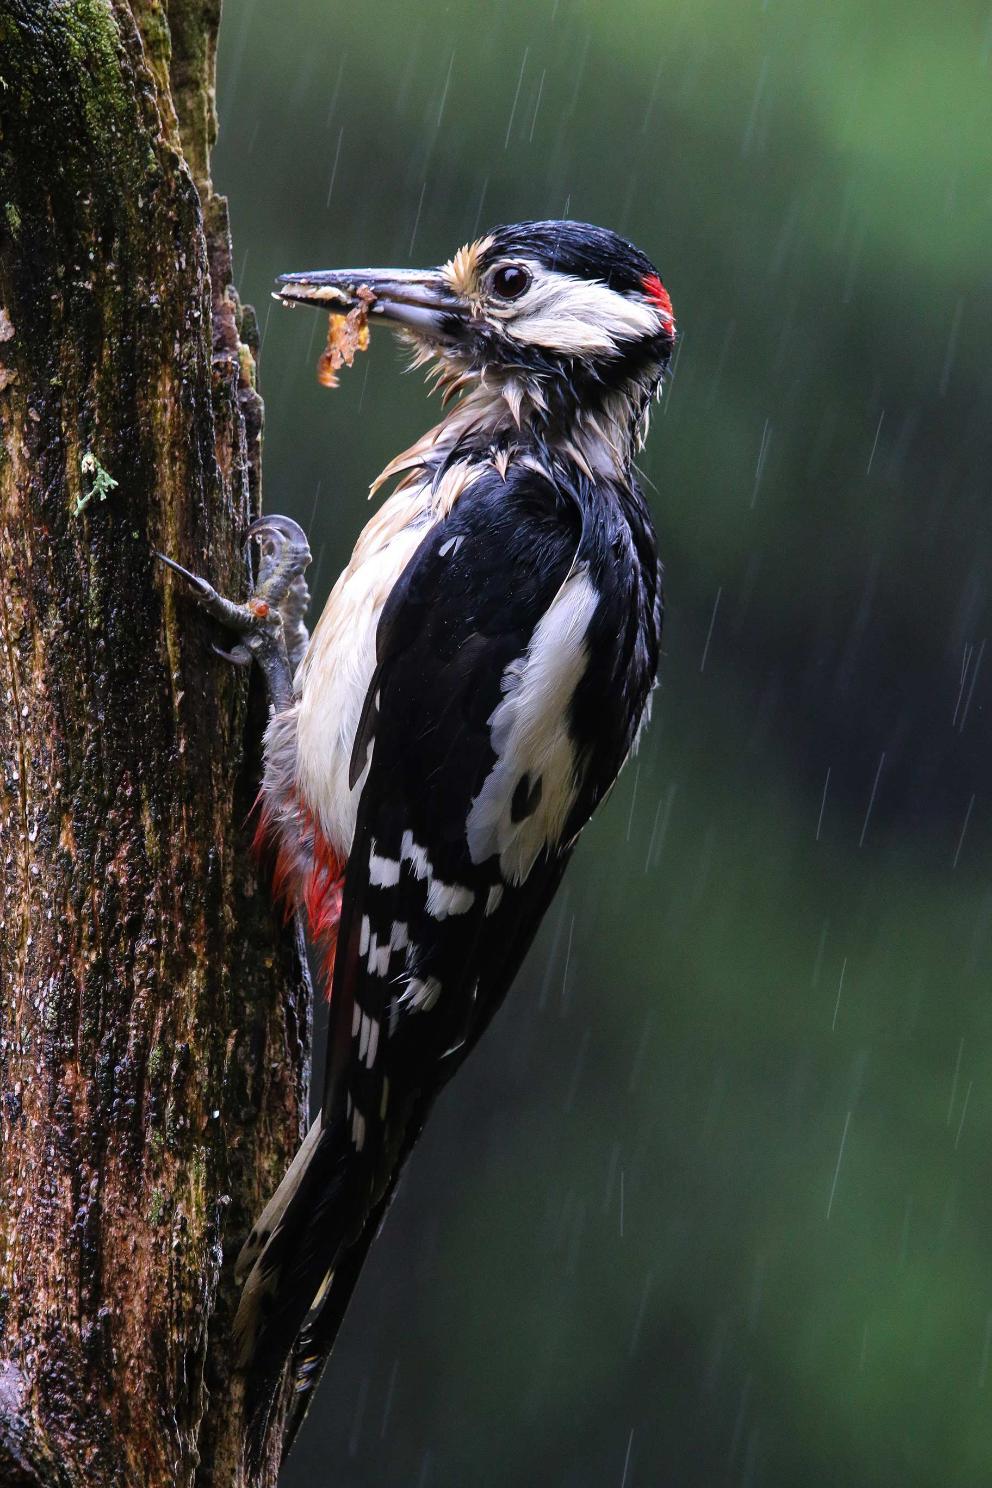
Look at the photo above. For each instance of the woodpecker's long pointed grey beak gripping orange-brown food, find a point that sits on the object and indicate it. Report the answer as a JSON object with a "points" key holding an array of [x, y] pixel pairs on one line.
{"points": [[419, 300]]}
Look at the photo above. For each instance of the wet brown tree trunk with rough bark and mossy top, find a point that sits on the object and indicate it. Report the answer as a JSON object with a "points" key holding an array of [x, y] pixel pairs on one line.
{"points": [[154, 1011]]}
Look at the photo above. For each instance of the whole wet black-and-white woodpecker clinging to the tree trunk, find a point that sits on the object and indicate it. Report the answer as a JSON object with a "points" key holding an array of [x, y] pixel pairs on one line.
{"points": [[480, 676]]}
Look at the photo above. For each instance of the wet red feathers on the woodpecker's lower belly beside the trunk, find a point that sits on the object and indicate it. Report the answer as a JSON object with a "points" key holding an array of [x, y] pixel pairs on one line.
{"points": [[307, 874]]}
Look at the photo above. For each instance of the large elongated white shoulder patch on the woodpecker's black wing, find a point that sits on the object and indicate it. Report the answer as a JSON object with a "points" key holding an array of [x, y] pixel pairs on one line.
{"points": [[530, 739]]}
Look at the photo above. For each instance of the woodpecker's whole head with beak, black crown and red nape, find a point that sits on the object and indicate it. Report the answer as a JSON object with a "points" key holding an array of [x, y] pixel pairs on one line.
{"points": [[561, 324]]}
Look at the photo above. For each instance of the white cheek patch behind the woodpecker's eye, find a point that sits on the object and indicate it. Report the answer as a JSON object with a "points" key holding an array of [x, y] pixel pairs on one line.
{"points": [[579, 318]]}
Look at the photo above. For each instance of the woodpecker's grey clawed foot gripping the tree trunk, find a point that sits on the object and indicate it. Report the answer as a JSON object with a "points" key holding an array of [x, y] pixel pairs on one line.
{"points": [[271, 623]]}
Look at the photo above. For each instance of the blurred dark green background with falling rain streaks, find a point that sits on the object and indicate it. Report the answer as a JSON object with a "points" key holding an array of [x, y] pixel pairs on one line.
{"points": [[712, 1205]]}
